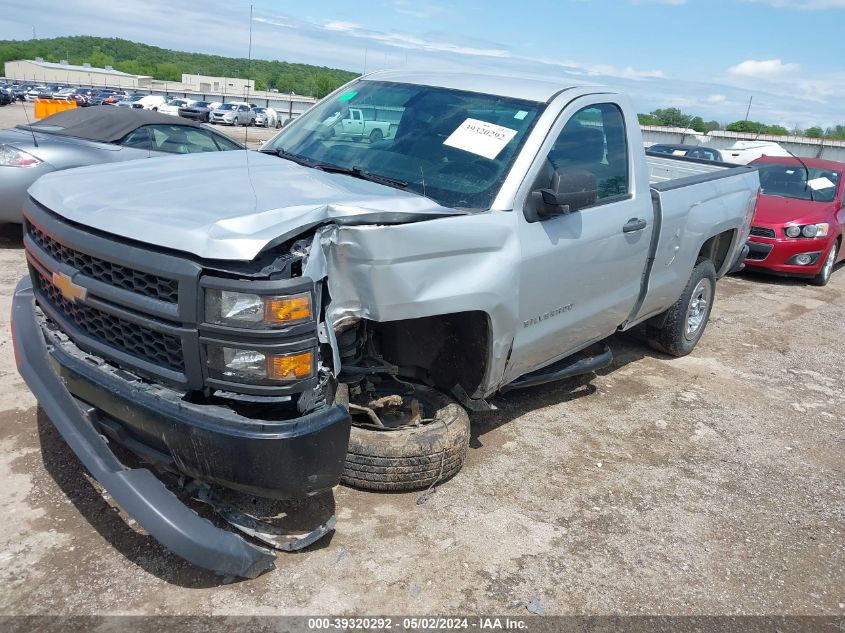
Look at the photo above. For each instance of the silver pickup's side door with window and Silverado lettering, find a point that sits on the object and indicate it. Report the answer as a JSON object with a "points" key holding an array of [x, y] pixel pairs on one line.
{"points": [[581, 272]]}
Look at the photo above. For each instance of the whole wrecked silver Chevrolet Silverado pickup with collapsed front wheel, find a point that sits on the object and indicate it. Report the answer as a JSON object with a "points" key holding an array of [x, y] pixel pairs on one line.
{"points": [[327, 309]]}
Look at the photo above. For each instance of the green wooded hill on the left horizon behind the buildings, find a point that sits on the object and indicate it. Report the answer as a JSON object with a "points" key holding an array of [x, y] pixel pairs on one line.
{"points": [[169, 65]]}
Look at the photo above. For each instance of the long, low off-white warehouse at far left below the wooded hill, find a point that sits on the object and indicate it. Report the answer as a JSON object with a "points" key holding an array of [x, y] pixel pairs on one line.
{"points": [[38, 71]]}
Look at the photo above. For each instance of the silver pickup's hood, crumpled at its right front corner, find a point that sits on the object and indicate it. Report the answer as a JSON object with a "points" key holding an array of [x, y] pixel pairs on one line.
{"points": [[222, 205]]}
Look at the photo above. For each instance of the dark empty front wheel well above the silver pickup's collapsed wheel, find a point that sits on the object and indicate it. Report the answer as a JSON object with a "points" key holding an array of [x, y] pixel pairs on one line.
{"points": [[444, 350]]}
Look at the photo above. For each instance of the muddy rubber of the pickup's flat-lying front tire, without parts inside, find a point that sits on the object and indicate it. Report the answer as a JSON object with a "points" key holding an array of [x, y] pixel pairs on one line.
{"points": [[412, 458]]}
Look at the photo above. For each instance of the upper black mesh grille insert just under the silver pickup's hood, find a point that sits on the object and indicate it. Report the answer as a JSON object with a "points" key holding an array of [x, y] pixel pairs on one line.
{"points": [[135, 281]]}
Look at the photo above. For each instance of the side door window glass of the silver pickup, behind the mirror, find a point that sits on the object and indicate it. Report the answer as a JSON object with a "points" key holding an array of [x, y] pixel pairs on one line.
{"points": [[593, 140]]}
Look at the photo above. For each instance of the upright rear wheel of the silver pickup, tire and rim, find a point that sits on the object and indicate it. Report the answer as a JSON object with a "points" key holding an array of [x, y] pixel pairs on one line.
{"points": [[684, 323]]}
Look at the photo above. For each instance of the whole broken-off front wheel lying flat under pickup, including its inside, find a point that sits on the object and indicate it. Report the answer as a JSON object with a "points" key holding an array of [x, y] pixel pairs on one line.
{"points": [[405, 439]]}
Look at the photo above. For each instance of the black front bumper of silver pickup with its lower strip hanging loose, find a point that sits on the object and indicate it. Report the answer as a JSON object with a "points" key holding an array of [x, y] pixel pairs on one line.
{"points": [[305, 455]]}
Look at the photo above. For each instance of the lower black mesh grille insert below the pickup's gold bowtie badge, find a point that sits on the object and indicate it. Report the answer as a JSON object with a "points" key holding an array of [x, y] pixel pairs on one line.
{"points": [[131, 338]]}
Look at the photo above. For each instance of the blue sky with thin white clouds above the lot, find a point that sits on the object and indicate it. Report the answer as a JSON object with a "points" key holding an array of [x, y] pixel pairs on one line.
{"points": [[707, 57]]}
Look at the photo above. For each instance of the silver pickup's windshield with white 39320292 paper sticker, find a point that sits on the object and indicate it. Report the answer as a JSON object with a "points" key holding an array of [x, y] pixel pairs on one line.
{"points": [[452, 146]]}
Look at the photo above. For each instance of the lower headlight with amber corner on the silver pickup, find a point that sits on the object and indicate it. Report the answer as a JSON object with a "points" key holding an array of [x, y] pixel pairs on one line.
{"points": [[256, 367]]}
